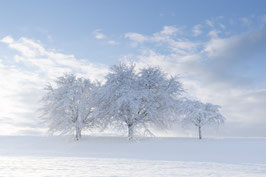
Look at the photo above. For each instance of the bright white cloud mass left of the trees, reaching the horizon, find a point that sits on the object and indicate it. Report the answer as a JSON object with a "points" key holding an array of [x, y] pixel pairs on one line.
{"points": [[26, 73]]}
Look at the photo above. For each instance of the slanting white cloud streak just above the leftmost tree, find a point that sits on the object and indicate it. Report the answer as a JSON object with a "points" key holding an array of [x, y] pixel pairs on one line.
{"points": [[48, 62]]}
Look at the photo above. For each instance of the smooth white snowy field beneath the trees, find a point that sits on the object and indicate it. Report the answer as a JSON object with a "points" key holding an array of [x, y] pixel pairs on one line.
{"points": [[115, 156]]}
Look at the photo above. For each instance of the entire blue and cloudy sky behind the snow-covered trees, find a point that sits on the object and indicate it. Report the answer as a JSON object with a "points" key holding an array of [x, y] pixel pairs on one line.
{"points": [[217, 48]]}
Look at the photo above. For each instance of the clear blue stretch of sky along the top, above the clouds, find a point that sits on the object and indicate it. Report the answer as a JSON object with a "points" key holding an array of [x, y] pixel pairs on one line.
{"points": [[68, 26]]}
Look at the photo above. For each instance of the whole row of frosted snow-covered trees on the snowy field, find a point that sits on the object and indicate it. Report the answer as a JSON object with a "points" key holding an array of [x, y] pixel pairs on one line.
{"points": [[135, 100]]}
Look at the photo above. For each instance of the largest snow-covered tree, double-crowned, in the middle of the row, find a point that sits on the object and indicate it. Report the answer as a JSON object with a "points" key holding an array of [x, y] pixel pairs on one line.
{"points": [[136, 100]]}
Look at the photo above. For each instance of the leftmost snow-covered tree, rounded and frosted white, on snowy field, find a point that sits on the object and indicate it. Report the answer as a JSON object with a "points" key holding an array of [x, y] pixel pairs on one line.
{"points": [[68, 105]]}
